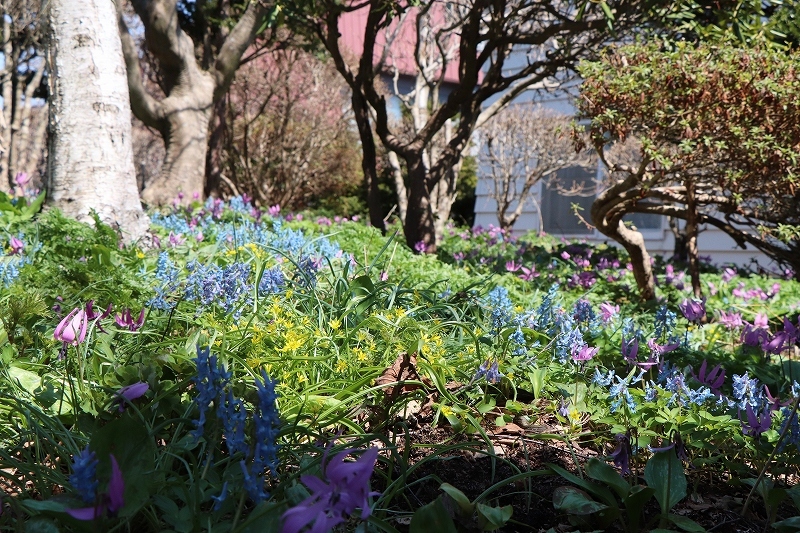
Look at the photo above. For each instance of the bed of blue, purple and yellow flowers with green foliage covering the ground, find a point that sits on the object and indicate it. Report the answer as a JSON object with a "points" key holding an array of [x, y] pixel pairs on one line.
{"points": [[253, 370]]}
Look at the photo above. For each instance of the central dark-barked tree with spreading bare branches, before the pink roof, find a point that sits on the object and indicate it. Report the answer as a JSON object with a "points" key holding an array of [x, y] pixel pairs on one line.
{"points": [[486, 33]]}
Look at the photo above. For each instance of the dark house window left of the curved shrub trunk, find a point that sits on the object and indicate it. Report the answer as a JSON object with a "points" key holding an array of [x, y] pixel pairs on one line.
{"points": [[557, 213]]}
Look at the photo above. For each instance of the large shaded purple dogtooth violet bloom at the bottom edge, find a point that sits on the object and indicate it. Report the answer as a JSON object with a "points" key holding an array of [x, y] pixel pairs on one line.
{"points": [[345, 488]]}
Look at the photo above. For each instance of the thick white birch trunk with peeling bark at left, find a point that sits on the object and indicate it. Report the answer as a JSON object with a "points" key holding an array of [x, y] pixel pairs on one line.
{"points": [[90, 165]]}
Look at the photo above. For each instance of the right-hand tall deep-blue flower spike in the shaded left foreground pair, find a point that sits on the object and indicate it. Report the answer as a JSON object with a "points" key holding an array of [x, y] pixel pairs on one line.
{"points": [[265, 450]]}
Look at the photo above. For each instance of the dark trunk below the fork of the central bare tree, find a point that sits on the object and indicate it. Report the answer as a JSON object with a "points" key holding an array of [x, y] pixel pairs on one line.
{"points": [[419, 226]]}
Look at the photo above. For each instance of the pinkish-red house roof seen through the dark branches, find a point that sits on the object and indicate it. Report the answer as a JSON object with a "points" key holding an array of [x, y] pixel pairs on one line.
{"points": [[352, 28]]}
